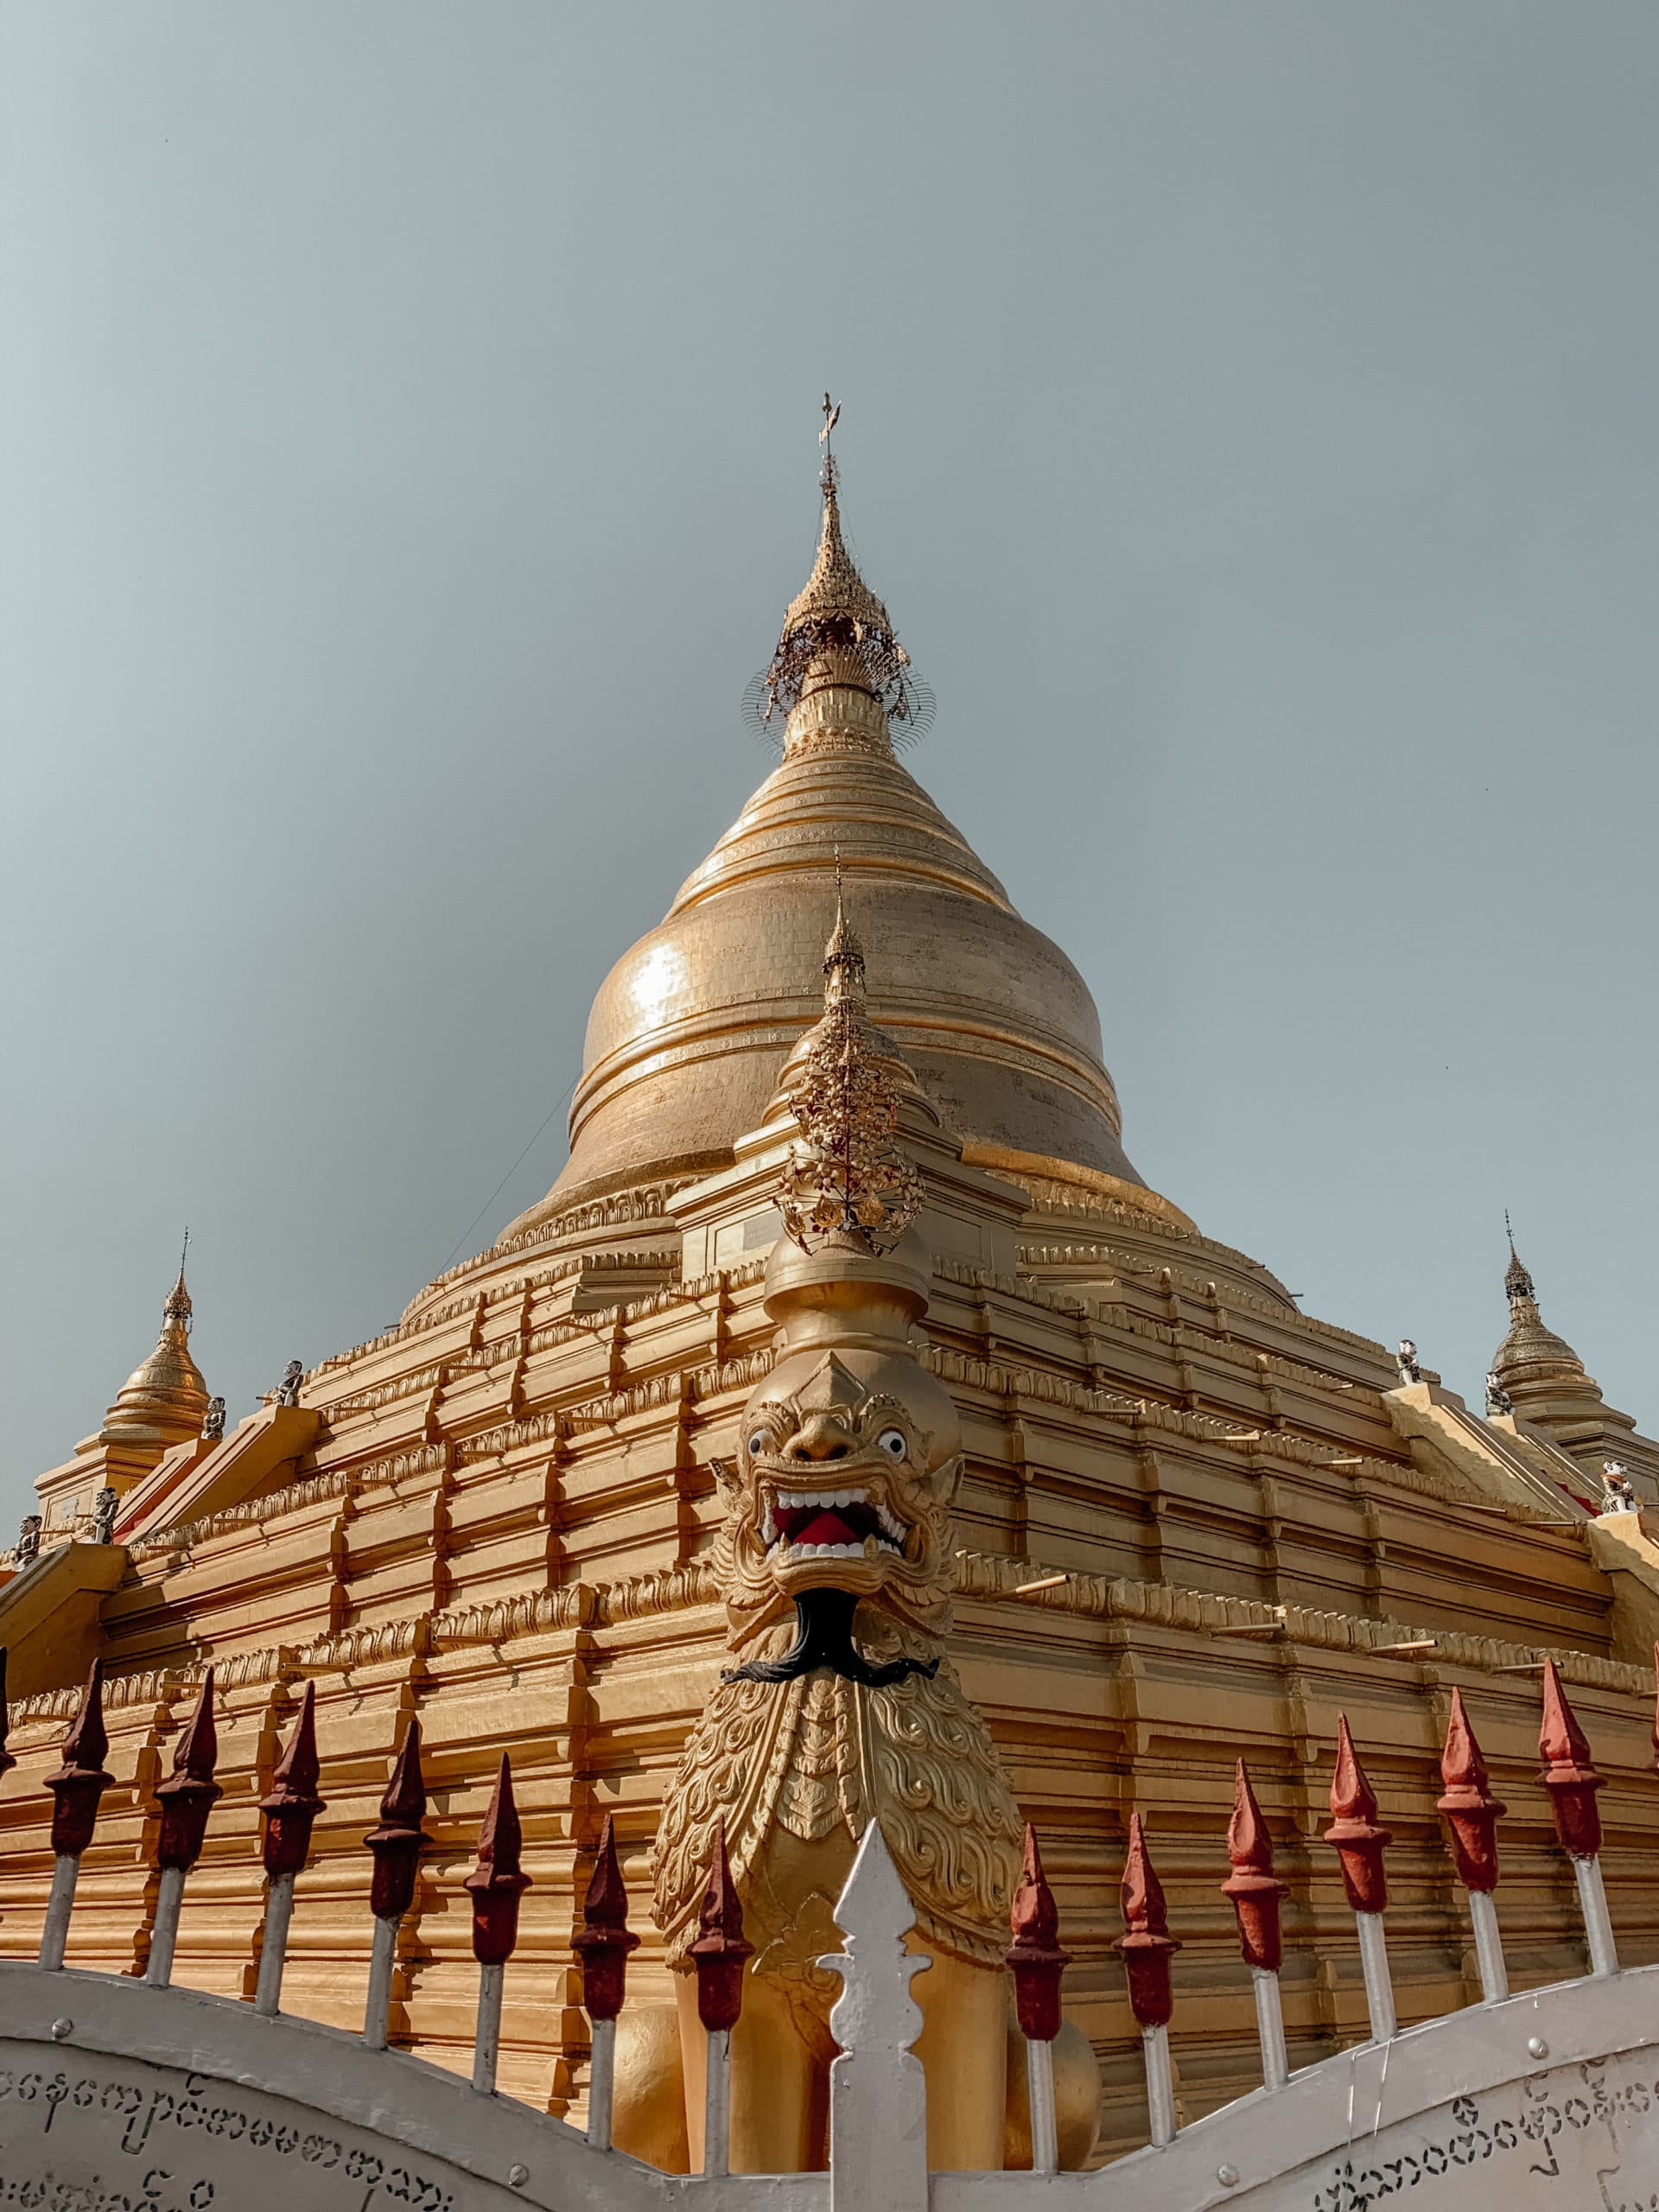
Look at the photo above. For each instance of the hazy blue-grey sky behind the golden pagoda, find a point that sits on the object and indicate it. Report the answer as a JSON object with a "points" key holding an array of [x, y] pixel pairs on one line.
{"points": [[408, 450]]}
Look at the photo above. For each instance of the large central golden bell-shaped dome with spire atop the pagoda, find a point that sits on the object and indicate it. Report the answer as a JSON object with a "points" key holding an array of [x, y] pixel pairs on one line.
{"points": [[689, 1030]]}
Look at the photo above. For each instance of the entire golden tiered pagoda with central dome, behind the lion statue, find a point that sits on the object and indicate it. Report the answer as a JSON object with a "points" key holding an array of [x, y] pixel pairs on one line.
{"points": [[1193, 1523]]}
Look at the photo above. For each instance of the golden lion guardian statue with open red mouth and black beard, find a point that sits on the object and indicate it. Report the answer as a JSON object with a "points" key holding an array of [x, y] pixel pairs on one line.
{"points": [[842, 1709]]}
